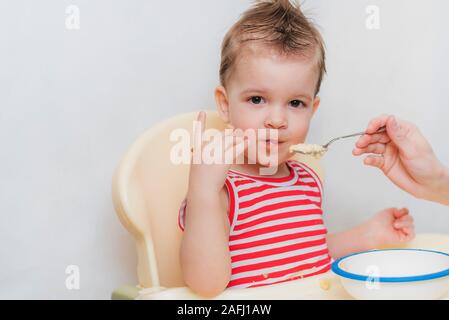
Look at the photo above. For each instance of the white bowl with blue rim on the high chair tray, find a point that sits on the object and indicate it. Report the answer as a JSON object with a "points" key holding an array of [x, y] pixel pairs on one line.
{"points": [[394, 274]]}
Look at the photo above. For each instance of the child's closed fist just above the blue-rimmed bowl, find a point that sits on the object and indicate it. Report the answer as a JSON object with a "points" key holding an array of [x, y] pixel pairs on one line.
{"points": [[390, 227]]}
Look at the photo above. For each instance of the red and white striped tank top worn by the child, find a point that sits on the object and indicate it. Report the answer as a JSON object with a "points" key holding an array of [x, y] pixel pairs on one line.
{"points": [[277, 232]]}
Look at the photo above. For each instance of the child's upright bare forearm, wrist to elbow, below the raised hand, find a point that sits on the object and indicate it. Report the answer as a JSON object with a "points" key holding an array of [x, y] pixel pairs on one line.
{"points": [[205, 258]]}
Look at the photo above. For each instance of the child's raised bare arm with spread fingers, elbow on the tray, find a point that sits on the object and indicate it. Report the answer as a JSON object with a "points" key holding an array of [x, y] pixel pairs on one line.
{"points": [[205, 257]]}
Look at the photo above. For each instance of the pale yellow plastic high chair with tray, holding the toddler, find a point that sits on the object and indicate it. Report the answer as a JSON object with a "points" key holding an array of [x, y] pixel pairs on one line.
{"points": [[147, 192]]}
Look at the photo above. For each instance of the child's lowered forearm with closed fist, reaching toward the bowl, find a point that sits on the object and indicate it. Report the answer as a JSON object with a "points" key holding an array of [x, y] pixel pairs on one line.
{"points": [[389, 227]]}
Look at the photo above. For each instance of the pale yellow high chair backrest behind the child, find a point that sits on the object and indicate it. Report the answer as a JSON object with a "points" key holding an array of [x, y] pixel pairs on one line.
{"points": [[147, 192]]}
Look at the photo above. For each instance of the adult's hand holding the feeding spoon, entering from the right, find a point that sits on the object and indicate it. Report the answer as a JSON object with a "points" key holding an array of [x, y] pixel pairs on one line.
{"points": [[405, 157]]}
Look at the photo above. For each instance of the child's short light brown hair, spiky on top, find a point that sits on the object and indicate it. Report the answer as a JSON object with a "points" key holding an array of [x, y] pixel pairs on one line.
{"points": [[278, 24]]}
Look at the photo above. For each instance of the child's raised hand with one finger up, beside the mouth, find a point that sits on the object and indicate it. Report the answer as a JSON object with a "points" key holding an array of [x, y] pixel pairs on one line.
{"points": [[210, 175]]}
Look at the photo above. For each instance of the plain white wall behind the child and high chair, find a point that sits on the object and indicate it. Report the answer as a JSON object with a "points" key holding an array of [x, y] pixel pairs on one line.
{"points": [[71, 102]]}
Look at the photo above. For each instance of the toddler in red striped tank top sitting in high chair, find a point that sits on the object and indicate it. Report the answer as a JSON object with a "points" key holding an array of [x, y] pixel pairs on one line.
{"points": [[243, 229]]}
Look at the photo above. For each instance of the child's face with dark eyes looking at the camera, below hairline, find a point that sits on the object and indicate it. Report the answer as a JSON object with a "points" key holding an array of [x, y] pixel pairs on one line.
{"points": [[267, 91]]}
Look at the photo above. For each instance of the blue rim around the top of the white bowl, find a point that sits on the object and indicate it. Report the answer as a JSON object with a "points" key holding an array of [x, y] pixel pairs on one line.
{"points": [[337, 270]]}
